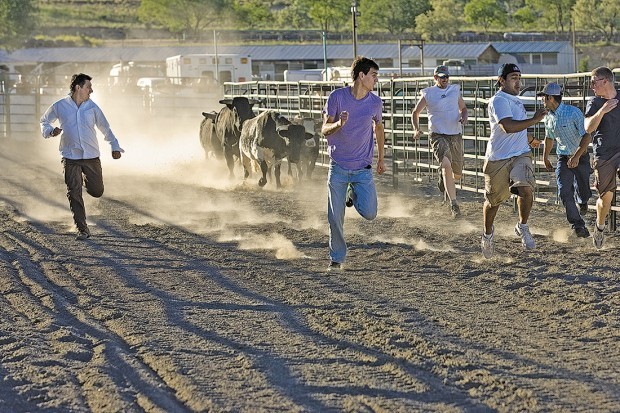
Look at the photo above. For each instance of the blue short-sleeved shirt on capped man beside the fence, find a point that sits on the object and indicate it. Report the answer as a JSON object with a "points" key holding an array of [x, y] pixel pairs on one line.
{"points": [[565, 125]]}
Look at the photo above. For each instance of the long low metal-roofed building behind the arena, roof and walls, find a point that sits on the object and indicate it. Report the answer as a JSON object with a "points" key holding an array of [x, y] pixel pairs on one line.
{"points": [[534, 57]]}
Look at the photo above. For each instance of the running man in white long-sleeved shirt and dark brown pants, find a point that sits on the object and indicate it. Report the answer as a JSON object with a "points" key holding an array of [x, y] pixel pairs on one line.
{"points": [[77, 116]]}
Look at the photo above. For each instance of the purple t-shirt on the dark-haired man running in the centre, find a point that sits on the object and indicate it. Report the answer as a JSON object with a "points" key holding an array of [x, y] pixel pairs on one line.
{"points": [[351, 146]]}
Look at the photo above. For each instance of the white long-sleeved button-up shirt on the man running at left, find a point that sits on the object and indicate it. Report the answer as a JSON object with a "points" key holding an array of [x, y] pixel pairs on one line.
{"points": [[78, 139]]}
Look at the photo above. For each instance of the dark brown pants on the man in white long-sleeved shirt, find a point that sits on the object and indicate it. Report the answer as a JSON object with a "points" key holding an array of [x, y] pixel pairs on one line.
{"points": [[80, 172]]}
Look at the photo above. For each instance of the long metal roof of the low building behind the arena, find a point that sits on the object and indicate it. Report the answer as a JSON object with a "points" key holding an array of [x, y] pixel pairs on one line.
{"points": [[271, 52]]}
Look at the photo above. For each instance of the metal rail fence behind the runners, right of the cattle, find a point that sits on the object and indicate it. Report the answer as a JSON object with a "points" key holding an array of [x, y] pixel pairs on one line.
{"points": [[409, 160]]}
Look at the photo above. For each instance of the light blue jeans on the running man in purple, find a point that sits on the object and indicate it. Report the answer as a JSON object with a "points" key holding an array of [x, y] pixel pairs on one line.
{"points": [[364, 200]]}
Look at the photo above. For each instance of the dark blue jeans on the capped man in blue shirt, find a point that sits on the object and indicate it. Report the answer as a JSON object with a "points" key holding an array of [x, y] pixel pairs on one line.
{"points": [[573, 186]]}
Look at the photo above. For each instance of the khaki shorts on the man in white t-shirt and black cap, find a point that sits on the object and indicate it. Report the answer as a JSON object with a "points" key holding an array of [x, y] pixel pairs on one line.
{"points": [[503, 177]]}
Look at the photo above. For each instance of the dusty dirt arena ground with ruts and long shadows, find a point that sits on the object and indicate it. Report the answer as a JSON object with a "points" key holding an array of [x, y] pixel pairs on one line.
{"points": [[197, 293]]}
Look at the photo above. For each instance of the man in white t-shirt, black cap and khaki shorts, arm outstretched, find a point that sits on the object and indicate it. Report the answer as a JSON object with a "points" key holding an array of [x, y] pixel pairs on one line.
{"points": [[508, 167]]}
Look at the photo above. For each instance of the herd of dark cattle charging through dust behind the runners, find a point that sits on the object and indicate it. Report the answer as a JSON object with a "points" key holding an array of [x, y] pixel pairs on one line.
{"points": [[260, 142]]}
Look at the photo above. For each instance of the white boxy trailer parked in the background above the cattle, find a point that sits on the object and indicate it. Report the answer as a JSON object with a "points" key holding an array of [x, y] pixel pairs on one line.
{"points": [[208, 68]]}
